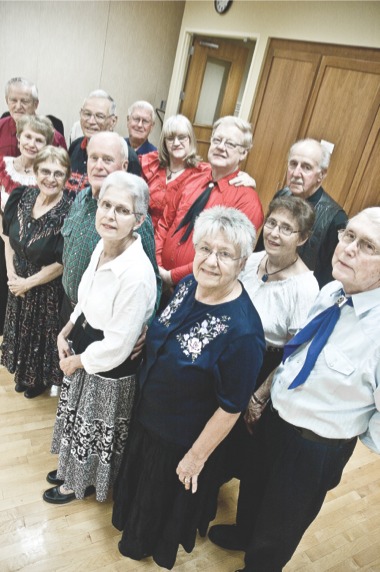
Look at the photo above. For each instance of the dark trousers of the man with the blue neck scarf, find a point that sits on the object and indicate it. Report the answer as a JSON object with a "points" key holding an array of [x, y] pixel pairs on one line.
{"points": [[282, 489]]}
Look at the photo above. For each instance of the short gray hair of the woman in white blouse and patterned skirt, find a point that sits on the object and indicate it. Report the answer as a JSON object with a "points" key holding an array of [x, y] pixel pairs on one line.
{"points": [[133, 185]]}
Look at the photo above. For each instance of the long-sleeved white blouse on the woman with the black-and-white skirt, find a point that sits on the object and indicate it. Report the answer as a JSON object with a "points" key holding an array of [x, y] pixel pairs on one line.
{"points": [[118, 298]]}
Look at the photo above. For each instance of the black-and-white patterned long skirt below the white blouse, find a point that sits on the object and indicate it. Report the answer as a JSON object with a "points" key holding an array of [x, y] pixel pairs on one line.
{"points": [[91, 430]]}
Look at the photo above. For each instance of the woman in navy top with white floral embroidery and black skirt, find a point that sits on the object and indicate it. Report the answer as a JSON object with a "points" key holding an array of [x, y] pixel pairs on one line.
{"points": [[202, 357]]}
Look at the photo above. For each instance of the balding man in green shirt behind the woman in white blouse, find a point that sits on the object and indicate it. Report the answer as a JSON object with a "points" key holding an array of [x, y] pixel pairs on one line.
{"points": [[107, 152]]}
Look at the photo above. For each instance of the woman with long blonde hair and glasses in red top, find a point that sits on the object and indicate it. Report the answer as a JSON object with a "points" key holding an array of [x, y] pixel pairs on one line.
{"points": [[174, 166]]}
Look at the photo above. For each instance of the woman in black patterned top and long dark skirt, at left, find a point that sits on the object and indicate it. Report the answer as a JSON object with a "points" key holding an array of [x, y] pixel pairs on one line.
{"points": [[32, 222]]}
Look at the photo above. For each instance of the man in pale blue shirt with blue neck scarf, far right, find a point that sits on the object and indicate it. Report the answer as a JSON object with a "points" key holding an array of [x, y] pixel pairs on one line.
{"points": [[324, 395]]}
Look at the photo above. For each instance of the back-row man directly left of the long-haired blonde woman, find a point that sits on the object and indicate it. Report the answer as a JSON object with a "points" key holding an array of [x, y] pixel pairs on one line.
{"points": [[140, 122]]}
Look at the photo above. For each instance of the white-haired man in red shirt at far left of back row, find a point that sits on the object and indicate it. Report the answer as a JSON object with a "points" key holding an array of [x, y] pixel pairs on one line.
{"points": [[22, 99]]}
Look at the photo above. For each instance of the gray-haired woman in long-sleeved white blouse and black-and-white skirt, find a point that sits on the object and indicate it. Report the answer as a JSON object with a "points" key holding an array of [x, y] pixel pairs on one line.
{"points": [[116, 298]]}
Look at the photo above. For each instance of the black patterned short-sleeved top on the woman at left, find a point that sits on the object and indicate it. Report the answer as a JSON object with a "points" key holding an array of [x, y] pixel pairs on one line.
{"points": [[34, 241]]}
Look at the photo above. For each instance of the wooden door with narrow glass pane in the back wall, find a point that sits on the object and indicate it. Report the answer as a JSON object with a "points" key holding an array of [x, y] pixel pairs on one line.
{"points": [[226, 60]]}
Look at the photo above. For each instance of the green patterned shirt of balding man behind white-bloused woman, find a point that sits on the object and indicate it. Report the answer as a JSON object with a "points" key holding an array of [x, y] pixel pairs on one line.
{"points": [[81, 237]]}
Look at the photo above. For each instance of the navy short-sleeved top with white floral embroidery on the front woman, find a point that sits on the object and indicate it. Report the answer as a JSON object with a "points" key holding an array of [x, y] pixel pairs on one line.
{"points": [[198, 357]]}
